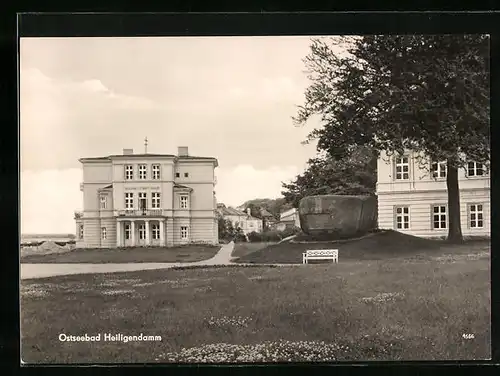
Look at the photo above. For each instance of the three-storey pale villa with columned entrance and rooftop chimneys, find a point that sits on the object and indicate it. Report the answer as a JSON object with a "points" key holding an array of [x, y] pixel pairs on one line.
{"points": [[134, 200]]}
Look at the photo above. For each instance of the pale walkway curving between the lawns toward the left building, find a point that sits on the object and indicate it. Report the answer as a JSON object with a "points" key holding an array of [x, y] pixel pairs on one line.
{"points": [[28, 271]]}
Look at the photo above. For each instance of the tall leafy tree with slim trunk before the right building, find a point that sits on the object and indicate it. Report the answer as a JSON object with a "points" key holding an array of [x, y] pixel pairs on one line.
{"points": [[428, 94]]}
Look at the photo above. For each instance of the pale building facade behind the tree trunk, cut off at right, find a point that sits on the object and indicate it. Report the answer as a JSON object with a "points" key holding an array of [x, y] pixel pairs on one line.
{"points": [[413, 199]]}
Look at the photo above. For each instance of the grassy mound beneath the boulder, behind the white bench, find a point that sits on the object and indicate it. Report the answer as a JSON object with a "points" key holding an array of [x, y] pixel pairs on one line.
{"points": [[378, 246]]}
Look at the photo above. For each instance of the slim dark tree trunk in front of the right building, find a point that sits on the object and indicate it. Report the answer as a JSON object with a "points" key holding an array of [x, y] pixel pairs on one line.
{"points": [[455, 228]]}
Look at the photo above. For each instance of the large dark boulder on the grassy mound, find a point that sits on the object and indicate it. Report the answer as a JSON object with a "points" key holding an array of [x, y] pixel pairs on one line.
{"points": [[338, 215]]}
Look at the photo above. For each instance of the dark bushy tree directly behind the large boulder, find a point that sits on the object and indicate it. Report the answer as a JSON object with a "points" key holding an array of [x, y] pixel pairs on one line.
{"points": [[355, 174]]}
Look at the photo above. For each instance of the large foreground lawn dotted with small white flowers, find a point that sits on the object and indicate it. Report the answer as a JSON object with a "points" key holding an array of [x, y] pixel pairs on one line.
{"points": [[401, 308]]}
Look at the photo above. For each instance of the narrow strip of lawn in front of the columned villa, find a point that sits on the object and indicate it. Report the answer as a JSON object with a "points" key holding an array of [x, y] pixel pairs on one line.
{"points": [[190, 253]]}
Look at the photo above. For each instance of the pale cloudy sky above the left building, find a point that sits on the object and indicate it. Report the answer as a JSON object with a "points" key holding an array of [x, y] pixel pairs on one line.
{"points": [[232, 98]]}
